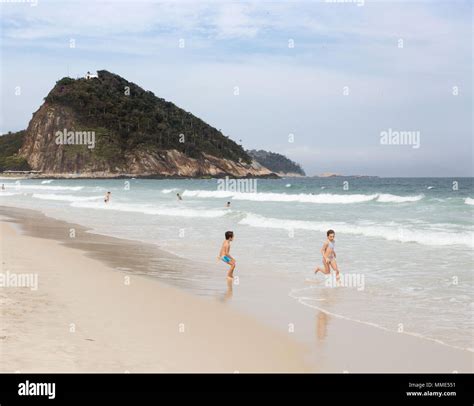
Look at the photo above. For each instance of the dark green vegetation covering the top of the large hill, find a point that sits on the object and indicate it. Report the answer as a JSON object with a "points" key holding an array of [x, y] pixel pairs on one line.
{"points": [[131, 118]]}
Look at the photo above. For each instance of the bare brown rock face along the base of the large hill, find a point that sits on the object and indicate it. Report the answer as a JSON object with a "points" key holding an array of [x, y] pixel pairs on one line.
{"points": [[44, 154]]}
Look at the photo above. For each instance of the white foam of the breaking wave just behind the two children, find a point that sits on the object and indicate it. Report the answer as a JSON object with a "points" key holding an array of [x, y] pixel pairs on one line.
{"points": [[391, 233]]}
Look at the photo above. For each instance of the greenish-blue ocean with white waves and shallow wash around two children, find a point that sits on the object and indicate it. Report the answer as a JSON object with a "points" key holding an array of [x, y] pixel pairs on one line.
{"points": [[404, 245]]}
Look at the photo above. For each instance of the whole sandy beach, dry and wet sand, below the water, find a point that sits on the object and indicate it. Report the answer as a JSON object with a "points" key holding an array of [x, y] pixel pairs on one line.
{"points": [[94, 309]]}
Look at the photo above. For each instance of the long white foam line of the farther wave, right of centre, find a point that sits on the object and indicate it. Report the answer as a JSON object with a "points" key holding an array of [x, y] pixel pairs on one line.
{"points": [[322, 198]]}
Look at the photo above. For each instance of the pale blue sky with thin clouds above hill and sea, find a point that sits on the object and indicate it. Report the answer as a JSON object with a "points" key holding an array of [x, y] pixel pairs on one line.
{"points": [[322, 82]]}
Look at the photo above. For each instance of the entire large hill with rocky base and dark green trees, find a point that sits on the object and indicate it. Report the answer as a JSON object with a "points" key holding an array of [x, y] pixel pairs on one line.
{"points": [[110, 147]]}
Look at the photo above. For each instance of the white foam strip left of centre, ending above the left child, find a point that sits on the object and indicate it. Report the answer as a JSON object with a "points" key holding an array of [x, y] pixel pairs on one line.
{"points": [[149, 209]]}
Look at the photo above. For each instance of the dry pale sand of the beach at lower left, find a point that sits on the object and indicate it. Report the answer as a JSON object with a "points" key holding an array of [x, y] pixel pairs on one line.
{"points": [[87, 317]]}
